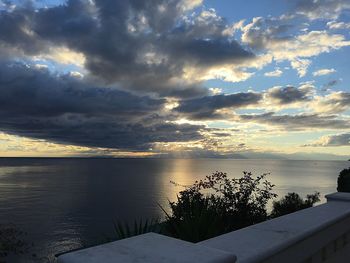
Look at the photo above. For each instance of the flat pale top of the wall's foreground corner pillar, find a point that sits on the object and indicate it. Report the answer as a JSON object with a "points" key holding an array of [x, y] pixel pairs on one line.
{"points": [[148, 248]]}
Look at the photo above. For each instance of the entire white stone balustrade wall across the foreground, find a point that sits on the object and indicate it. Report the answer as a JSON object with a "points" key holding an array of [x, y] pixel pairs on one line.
{"points": [[317, 234]]}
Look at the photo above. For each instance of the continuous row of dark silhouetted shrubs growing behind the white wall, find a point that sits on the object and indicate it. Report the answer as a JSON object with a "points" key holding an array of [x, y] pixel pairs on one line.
{"points": [[217, 205]]}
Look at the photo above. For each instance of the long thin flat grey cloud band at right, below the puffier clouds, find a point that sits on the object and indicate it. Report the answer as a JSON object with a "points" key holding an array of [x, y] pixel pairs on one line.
{"points": [[298, 122]]}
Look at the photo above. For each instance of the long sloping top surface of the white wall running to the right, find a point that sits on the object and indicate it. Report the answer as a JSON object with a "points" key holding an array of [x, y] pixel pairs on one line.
{"points": [[269, 237]]}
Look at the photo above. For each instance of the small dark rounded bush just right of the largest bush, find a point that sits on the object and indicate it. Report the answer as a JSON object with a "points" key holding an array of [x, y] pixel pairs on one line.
{"points": [[292, 202]]}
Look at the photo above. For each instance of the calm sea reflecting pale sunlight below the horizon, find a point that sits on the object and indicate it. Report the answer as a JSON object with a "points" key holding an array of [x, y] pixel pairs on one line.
{"points": [[66, 203]]}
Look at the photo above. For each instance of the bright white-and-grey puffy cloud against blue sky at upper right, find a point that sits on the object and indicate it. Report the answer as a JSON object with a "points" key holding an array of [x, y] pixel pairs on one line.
{"points": [[281, 38]]}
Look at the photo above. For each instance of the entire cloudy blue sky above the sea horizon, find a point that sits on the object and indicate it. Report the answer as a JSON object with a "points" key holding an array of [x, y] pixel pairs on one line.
{"points": [[175, 78]]}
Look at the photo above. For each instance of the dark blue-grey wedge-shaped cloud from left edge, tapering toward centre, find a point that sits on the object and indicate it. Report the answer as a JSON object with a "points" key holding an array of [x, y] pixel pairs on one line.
{"points": [[28, 90]]}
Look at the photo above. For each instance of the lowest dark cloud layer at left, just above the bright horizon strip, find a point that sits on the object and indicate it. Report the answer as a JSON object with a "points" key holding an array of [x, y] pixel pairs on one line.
{"points": [[100, 131]]}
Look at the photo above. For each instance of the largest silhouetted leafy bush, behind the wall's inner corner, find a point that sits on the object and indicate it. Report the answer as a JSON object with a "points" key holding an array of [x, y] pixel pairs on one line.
{"points": [[230, 204]]}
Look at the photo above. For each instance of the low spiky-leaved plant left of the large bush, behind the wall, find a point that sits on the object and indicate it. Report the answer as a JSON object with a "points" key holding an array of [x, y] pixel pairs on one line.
{"points": [[124, 230]]}
